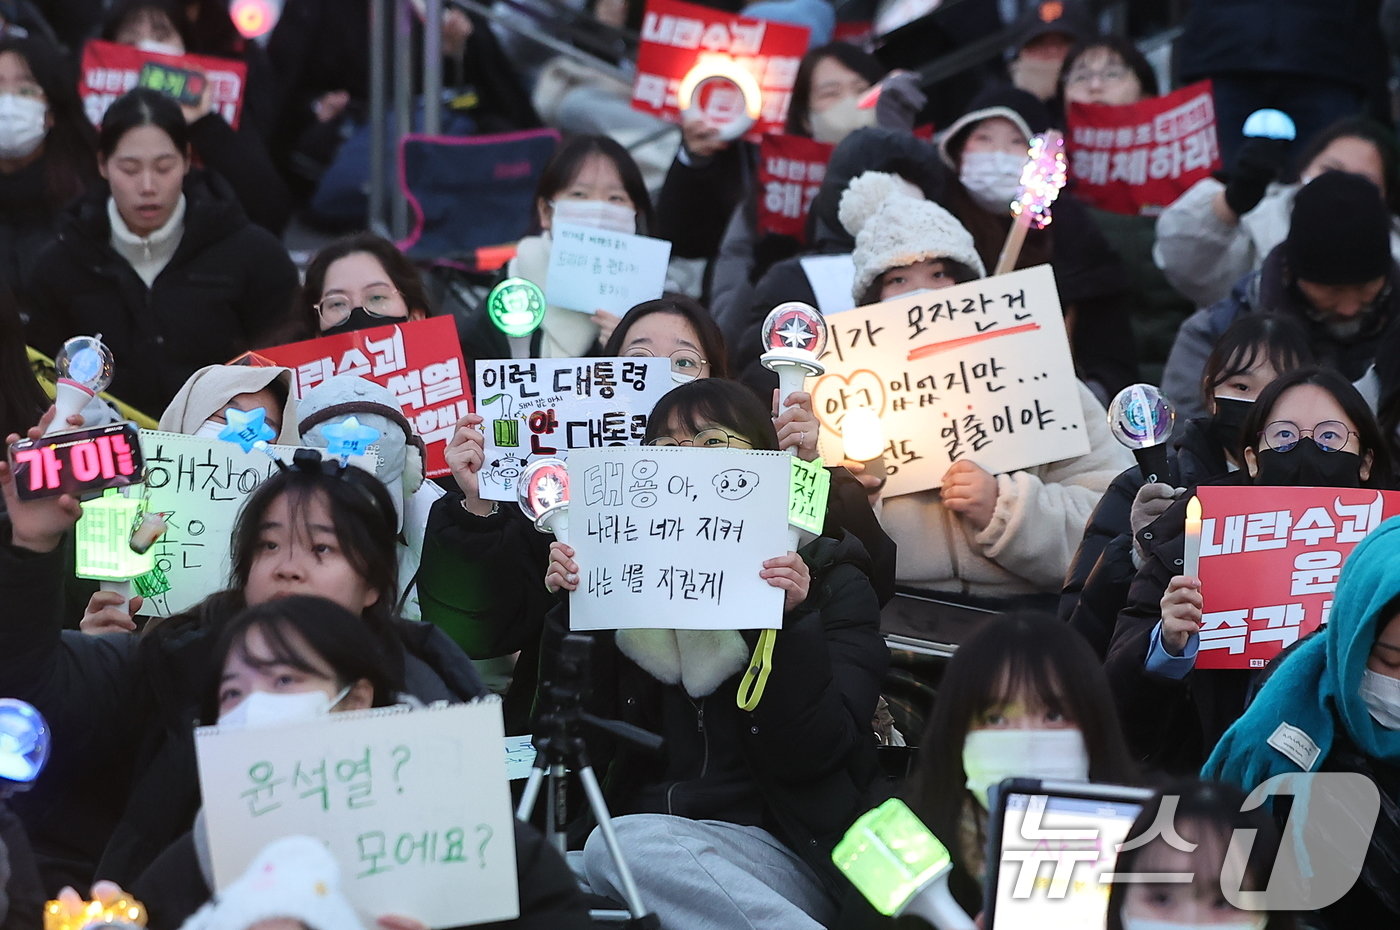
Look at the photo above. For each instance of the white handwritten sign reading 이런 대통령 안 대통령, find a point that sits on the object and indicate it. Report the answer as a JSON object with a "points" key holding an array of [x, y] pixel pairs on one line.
{"points": [[547, 407]]}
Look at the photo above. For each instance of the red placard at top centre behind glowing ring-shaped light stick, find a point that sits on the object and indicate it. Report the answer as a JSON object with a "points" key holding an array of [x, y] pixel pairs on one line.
{"points": [[678, 37]]}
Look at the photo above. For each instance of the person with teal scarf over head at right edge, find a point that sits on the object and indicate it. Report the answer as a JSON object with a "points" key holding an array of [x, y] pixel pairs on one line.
{"points": [[1340, 693]]}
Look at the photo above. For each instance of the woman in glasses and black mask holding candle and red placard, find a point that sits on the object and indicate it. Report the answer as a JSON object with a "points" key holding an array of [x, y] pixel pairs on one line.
{"points": [[1308, 429]]}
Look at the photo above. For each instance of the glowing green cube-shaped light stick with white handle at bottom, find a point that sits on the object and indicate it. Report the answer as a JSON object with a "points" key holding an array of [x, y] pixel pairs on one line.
{"points": [[901, 868]]}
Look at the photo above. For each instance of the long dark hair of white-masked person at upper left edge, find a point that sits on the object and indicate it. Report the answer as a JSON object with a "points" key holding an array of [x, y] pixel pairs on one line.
{"points": [[69, 148]]}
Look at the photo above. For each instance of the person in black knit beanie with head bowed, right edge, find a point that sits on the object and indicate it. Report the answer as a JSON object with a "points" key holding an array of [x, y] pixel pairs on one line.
{"points": [[1333, 274]]}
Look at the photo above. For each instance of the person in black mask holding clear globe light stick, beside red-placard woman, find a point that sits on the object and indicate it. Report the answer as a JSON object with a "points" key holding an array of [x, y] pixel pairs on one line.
{"points": [[1254, 352]]}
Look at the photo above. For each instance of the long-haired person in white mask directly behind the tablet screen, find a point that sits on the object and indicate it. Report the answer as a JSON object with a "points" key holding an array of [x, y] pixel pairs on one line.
{"points": [[1021, 698]]}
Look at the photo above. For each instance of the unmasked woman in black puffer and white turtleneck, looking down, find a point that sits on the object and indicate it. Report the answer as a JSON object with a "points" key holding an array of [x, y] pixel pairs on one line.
{"points": [[162, 261]]}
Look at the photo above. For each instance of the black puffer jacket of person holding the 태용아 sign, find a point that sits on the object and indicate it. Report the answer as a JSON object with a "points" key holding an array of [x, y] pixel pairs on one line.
{"points": [[801, 764]]}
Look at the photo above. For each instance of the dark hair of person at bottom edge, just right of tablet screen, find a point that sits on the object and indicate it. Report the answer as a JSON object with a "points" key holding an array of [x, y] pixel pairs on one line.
{"points": [[1207, 814]]}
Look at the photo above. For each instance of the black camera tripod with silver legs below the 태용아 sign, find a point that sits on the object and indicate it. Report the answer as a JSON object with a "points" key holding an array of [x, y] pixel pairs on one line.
{"points": [[559, 750]]}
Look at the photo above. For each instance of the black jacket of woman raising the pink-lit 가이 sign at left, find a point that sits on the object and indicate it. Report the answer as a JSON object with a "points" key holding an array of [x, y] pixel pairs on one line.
{"points": [[122, 782]]}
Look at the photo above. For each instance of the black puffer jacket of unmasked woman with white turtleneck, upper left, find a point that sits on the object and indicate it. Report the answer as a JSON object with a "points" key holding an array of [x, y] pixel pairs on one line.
{"points": [[227, 289]]}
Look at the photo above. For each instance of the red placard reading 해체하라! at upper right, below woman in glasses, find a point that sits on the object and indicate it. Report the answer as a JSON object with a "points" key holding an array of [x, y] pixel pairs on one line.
{"points": [[1142, 158]]}
